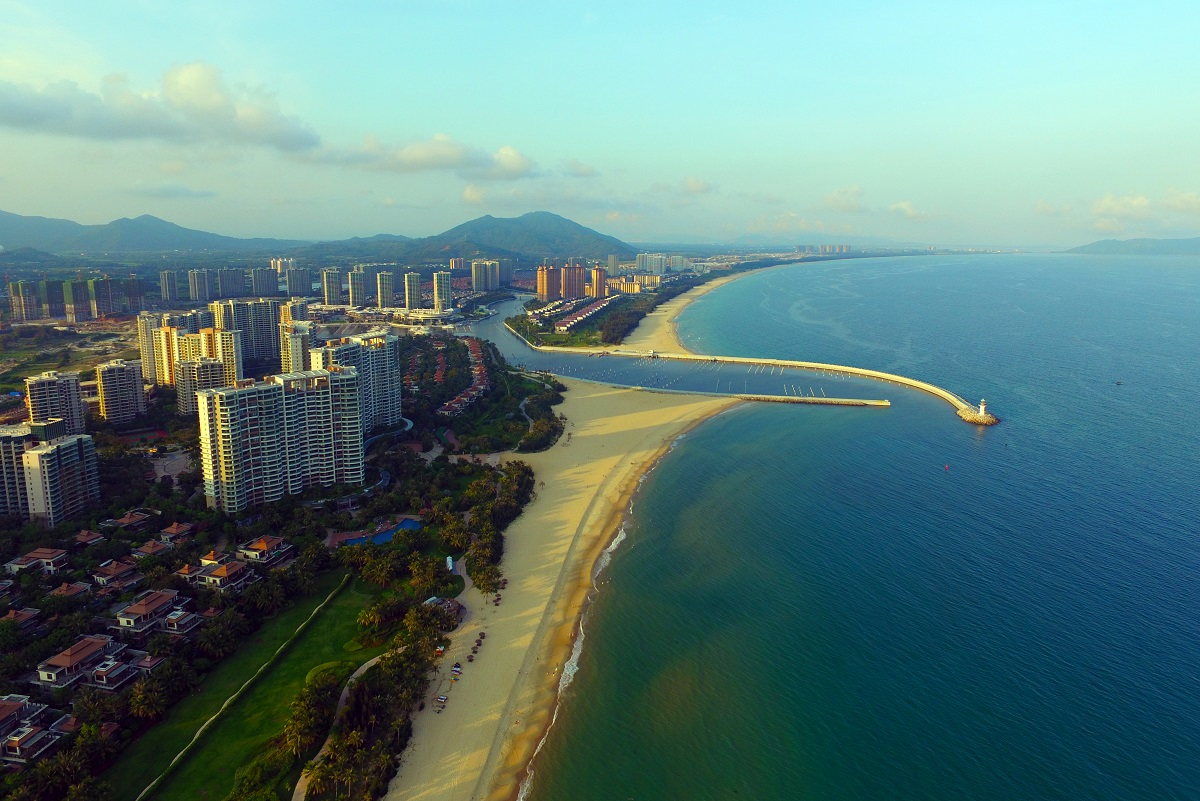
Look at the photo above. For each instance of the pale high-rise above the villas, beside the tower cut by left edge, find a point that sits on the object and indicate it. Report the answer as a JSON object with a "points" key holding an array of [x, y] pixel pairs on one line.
{"points": [[62, 479]]}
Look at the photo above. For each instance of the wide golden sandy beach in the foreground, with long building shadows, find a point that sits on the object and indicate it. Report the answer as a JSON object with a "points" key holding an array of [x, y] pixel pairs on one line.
{"points": [[479, 746]]}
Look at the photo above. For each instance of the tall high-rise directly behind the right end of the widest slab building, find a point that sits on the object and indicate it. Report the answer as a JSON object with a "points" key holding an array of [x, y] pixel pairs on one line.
{"points": [[376, 357]]}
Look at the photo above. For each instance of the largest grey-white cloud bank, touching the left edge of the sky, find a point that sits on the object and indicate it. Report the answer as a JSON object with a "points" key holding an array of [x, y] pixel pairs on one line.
{"points": [[193, 106]]}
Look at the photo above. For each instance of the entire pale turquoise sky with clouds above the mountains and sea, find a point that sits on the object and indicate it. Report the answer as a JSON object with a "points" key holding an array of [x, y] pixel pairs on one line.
{"points": [[952, 124]]}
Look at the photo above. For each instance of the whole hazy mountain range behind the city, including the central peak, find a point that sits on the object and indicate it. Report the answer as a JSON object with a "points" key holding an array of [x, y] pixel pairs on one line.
{"points": [[535, 236]]}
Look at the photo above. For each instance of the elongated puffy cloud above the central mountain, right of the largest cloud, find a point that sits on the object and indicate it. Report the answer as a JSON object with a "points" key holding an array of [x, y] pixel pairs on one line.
{"points": [[440, 153]]}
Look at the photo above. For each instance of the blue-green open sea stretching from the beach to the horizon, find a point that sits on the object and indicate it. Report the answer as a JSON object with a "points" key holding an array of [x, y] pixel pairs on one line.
{"points": [[861, 604]]}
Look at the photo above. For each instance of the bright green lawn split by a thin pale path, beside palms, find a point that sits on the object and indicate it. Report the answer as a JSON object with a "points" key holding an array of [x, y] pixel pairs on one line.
{"points": [[254, 719]]}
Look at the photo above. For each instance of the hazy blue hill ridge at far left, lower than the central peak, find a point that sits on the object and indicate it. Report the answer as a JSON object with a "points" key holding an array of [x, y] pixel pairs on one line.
{"points": [[124, 236]]}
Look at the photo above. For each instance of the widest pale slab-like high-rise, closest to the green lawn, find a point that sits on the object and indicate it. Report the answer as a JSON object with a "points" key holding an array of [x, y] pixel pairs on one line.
{"points": [[262, 441]]}
